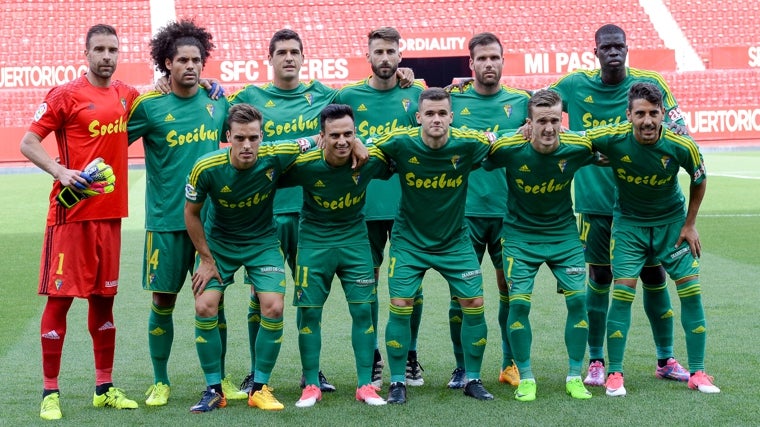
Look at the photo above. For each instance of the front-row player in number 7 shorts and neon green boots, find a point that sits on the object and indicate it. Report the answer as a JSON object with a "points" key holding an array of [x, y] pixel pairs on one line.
{"points": [[539, 227]]}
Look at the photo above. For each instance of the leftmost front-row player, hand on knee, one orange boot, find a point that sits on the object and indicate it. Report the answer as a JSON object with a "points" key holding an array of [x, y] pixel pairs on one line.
{"points": [[238, 183]]}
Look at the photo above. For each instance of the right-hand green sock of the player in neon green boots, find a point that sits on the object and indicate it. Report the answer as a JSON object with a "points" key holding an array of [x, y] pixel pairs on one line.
{"points": [[576, 330]]}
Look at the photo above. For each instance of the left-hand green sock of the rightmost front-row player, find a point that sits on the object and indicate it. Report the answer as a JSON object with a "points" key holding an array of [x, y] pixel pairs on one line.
{"points": [[618, 324]]}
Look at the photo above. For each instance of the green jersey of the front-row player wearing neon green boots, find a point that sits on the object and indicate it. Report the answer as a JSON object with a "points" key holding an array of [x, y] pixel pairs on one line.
{"points": [[540, 205]]}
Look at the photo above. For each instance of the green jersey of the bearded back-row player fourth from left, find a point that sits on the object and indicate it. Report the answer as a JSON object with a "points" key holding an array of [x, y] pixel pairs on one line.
{"points": [[376, 113]]}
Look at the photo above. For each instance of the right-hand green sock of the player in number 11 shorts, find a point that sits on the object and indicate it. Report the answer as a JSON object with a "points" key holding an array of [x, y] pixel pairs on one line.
{"points": [[363, 335]]}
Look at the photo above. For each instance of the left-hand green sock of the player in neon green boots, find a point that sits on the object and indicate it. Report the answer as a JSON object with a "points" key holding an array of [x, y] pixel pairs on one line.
{"points": [[520, 334]]}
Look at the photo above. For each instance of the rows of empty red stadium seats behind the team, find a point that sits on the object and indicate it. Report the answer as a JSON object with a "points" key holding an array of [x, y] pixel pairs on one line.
{"points": [[338, 28]]}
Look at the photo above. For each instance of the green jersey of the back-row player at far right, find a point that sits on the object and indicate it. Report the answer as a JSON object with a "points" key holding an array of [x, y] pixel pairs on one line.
{"points": [[589, 103]]}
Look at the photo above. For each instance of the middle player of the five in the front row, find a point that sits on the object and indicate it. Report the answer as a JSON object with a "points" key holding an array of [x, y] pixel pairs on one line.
{"points": [[434, 163]]}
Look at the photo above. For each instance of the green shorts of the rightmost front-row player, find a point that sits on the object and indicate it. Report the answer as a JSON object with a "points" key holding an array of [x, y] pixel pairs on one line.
{"points": [[633, 246]]}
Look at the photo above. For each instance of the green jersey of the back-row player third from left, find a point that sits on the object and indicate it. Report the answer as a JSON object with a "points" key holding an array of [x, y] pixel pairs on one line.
{"points": [[288, 114]]}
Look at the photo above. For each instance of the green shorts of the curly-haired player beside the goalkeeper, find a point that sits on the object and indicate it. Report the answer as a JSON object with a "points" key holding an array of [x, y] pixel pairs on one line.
{"points": [[167, 260]]}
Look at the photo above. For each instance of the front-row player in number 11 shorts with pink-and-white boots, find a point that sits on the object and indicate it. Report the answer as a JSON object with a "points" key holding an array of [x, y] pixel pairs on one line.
{"points": [[332, 239]]}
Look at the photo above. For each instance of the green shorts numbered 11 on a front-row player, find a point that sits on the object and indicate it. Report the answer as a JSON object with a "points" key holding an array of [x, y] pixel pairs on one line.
{"points": [[316, 267]]}
